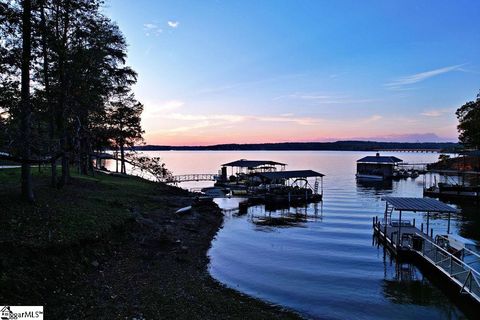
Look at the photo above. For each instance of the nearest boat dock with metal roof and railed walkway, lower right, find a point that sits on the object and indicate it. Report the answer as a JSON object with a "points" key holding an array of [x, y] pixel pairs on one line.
{"points": [[442, 258]]}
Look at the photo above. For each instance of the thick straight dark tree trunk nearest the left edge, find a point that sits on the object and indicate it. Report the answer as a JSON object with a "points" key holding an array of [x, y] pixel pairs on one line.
{"points": [[26, 109]]}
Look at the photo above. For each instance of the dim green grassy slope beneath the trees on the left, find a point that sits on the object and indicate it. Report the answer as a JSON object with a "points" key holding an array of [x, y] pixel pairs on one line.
{"points": [[84, 210]]}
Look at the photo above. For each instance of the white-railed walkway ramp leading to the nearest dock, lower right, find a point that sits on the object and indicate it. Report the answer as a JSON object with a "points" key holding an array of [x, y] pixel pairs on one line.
{"points": [[466, 277]]}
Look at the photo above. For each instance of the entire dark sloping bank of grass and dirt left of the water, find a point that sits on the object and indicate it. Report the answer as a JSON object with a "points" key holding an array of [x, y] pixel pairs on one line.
{"points": [[110, 247]]}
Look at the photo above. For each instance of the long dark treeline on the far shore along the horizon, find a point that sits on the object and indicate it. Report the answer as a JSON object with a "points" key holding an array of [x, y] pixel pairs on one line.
{"points": [[327, 146]]}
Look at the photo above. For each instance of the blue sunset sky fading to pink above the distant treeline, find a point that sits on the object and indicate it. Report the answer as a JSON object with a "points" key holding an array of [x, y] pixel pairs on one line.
{"points": [[271, 71]]}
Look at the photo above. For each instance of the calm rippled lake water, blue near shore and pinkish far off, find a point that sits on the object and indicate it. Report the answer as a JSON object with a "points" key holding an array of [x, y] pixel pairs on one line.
{"points": [[328, 267]]}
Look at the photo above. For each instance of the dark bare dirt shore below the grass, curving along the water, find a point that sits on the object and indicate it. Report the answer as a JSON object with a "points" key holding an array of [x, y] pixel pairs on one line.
{"points": [[154, 266]]}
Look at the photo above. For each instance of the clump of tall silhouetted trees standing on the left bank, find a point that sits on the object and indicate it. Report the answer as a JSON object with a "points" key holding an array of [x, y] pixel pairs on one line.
{"points": [[64, 85]]}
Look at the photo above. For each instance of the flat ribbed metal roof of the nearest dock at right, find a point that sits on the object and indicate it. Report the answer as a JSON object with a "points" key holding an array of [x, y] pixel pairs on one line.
{"points": [[419, 204]]}
